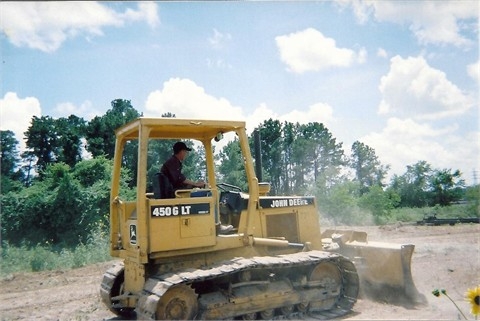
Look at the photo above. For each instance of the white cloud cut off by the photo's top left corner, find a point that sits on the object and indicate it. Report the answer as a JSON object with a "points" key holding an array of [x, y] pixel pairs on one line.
{"points": [[46, 25]]}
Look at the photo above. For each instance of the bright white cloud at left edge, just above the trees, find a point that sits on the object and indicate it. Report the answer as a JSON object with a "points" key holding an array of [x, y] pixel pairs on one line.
{"points": [[16, 114]]}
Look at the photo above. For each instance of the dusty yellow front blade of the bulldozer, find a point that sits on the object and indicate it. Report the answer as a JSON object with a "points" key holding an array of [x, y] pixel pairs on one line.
{"points": [[384, 269]]}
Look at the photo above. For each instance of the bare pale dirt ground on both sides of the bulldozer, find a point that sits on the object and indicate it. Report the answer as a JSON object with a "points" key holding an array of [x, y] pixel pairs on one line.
{"points": [[445, 257]]}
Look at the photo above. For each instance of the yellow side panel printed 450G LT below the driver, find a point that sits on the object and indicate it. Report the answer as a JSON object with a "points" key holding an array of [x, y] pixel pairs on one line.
{"points": [[181, 223]]}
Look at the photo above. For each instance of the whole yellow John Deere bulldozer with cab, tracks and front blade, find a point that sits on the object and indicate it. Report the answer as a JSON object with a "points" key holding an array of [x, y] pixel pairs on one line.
{"points": [[274, 264]]}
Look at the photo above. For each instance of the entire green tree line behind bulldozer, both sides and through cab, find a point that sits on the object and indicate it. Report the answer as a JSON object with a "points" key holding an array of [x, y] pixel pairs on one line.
{"points": [[53, 193]]}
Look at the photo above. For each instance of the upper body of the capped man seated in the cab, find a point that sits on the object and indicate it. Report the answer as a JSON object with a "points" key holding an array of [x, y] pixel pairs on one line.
{"points": [[172, 168]]}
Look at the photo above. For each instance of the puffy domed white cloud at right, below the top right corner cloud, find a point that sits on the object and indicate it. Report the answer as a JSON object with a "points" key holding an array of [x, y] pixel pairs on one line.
{"points": [[414, 89]]}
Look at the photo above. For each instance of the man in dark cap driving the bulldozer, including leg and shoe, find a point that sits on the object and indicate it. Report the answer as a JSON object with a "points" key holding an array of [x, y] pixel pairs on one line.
{"points": [[172, 168]]}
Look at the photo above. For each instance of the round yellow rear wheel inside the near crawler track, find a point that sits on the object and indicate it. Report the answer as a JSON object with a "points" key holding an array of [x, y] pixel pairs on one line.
{"points": [[178, 303]]}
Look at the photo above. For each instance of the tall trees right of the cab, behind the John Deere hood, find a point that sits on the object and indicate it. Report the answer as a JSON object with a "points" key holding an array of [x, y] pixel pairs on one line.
{"points": [[297, 157]]}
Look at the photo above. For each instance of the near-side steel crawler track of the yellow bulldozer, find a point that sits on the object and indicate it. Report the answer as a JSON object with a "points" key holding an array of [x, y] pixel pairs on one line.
{"points": [[156, 286]]}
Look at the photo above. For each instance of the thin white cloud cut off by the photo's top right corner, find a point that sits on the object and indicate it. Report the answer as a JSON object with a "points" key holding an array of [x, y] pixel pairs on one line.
{"points": [[432, 22]]}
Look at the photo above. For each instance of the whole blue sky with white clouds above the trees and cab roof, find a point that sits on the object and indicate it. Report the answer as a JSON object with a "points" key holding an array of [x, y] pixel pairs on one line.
{"points": [[399, 76]]}
